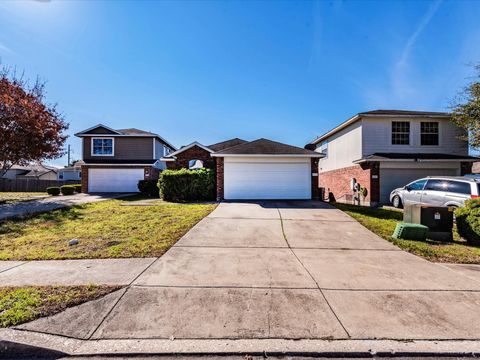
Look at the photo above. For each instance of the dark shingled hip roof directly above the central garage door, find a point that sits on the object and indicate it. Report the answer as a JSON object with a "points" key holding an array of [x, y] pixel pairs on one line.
{"points": [[266, 147]]}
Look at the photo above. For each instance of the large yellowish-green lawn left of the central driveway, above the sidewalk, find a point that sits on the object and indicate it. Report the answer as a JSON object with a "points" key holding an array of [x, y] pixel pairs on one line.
{"points": [[104, 230]]}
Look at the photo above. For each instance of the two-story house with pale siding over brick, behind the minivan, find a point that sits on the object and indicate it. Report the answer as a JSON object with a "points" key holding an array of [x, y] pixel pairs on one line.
{"points": [[386, 149]]}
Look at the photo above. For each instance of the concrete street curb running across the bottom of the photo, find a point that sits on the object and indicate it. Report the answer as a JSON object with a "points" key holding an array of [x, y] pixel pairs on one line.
{"points": [[17, 343]]}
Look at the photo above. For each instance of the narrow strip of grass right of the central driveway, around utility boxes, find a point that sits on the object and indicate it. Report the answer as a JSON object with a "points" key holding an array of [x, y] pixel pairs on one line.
{"points": [[383, 222]]}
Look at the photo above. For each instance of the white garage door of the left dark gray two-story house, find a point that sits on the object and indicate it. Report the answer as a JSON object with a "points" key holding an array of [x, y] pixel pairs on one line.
{"points": [[114, 180]]}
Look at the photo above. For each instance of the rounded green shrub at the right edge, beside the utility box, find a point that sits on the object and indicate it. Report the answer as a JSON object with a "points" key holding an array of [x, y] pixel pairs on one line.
{"points": [[468, 221]]}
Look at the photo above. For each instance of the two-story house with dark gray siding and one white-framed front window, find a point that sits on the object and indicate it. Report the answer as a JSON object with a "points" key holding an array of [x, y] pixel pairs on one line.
{"points": [[115, 160]]}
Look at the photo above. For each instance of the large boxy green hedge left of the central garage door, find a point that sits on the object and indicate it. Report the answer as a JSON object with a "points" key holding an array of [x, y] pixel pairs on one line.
{"points": [[187, 185]]}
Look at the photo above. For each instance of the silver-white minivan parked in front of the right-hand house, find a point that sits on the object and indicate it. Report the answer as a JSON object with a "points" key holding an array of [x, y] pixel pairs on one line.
{"points": [[437, 191]]}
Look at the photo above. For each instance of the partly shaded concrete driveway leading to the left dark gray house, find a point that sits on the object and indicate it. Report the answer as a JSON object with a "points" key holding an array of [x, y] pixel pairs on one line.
{"points": [[25, 208]]}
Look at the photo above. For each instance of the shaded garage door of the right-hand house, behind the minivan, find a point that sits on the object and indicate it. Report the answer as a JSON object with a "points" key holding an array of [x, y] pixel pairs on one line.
{"points": [[394, 178]]}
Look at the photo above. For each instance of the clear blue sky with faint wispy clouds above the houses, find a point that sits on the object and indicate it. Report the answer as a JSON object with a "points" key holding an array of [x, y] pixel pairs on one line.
{"points": [[209, 71]]}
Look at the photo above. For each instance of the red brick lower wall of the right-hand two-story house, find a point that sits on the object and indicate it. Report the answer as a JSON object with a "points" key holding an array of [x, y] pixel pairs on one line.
{"points": [[338, 183]]}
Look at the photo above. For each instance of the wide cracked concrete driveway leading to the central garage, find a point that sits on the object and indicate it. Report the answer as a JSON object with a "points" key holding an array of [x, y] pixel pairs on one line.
{"points": [[281, 270]]}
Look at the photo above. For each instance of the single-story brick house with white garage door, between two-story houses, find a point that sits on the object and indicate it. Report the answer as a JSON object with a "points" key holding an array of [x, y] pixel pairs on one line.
{"points": [[257, 170]]}
